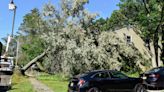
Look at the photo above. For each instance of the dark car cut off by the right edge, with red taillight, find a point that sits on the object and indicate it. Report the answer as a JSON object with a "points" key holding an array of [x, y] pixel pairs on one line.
{"points": [[154, 78]]}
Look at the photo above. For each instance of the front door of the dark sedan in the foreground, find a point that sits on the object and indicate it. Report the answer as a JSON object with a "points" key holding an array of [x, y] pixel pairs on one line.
{"points": [[120, 81]]}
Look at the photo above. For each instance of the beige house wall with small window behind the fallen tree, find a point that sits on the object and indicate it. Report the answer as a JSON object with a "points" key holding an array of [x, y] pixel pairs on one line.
{"points": [[131, 36]]}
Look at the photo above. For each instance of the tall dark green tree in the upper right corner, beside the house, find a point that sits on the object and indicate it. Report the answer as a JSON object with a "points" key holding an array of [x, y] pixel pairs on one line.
{"points": [[148, 15]]}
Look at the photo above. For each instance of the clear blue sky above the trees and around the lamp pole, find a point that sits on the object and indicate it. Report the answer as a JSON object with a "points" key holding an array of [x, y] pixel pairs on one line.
{"points": [[103, 7]]}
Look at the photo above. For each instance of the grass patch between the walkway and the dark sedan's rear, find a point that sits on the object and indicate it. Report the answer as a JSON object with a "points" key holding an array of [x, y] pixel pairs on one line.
{"points": [[56, 82]]}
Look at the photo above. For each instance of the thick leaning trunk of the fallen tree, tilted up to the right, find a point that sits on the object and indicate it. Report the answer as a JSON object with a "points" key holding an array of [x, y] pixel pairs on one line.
{"points": [[33, 61]]}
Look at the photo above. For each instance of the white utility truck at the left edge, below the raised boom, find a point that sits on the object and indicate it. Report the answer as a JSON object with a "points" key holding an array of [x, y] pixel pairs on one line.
{"points": [[6, 71]]}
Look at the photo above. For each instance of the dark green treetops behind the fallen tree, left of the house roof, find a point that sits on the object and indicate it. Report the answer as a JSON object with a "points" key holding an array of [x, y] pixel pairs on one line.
{"points": [[116, 21]]}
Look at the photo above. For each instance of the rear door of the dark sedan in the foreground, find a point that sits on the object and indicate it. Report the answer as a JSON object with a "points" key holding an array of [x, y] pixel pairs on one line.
{"points": [[101, 80]]}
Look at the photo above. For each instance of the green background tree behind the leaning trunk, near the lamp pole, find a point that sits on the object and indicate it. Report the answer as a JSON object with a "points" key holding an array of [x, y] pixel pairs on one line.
{"points": [[31, 44]]}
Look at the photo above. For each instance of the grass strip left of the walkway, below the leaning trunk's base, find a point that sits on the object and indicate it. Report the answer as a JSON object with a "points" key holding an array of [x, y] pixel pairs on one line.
{"points": [[20, 84]]}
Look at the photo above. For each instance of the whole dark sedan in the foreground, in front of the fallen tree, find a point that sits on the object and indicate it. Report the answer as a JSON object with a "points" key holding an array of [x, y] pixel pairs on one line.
{"points": [[105, 81]]}
